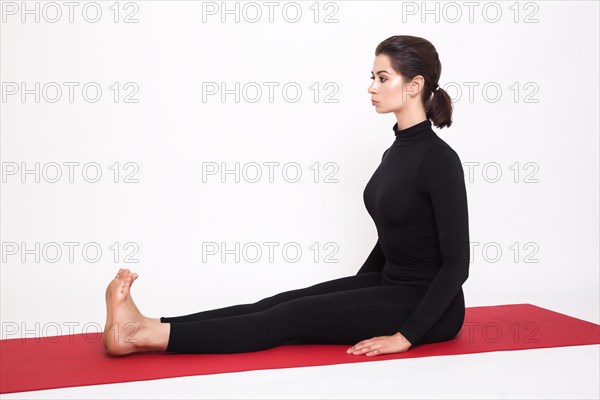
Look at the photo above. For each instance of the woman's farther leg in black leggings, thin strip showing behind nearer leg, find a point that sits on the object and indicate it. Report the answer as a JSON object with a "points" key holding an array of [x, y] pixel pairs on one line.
{"points": [[345, 283]]}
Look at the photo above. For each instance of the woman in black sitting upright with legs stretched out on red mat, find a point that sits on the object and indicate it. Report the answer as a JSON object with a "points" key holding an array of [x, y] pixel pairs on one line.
{"points": [[408, 291]]}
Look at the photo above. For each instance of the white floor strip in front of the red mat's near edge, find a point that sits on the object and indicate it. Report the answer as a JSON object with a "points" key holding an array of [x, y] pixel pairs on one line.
{"points": [[564, 372]]}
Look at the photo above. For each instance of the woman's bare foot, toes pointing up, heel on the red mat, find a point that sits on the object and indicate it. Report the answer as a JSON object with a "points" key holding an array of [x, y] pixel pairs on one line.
{"points": [[126, 330]]}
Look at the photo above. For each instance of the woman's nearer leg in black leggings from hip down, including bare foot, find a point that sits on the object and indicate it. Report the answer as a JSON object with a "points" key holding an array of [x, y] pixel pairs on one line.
{"points": [[343, 317]]}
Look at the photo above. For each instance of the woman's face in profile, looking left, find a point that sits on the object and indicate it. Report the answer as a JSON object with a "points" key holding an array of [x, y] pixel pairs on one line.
{"points": [[388, 90]]}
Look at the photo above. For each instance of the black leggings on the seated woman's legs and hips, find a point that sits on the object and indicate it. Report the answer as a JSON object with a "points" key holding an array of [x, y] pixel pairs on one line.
{"points": [[340, 311]]}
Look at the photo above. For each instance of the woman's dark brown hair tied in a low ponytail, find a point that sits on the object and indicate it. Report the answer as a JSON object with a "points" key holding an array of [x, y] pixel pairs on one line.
{"points": [[411, 56]]}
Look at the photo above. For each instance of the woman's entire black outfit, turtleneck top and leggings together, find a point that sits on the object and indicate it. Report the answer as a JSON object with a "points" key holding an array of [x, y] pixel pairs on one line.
{"points": [[410, 283]]}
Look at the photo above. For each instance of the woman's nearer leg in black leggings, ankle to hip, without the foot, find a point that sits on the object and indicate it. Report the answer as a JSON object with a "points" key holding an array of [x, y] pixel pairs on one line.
{"points": [[342, 317]]}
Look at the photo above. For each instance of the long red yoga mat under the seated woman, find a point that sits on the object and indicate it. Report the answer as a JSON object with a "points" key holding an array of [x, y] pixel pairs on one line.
{"points": [[80, 360]]}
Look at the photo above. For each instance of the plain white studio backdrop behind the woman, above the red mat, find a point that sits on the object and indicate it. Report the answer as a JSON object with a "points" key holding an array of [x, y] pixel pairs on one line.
{"points": [[170, 133]]}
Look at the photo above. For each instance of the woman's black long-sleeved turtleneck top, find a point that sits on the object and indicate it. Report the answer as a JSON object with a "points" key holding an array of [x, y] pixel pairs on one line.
{"points": [[418, 201]]}
